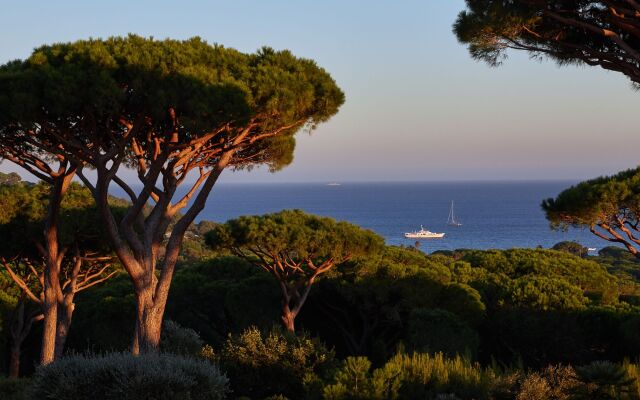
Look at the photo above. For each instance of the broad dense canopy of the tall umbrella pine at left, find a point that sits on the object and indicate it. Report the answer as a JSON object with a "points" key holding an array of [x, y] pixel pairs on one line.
{"points": [[83, 89]]}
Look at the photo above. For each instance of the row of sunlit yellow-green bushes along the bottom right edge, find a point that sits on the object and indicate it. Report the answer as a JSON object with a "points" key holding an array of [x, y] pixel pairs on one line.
{"points": [[424, 376]]}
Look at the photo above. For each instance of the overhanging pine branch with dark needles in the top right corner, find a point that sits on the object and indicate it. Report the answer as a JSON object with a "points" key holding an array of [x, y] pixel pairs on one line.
{"points": [[591, 32]]}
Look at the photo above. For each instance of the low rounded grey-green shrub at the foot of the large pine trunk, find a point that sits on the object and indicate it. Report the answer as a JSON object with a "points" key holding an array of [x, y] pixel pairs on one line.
{"points": [[123, 376]]}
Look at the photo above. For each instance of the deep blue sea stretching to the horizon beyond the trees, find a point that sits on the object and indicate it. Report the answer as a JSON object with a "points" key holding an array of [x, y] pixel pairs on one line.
{"points": [[494, 214]]}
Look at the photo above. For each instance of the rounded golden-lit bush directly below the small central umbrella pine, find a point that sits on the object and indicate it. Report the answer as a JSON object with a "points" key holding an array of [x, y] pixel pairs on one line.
{"points": [[277, 363]]}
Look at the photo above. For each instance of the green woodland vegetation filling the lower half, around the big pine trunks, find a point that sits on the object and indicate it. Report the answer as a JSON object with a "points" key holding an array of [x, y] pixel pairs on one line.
{"points": [[383, 322]]}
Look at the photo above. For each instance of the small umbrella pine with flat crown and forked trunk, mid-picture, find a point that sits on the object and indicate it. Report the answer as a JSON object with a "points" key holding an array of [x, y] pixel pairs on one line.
{"points": [[295, 248]]}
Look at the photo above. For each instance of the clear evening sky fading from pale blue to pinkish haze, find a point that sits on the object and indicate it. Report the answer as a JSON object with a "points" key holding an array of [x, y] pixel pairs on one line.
{"points": [[418, 108]]}
